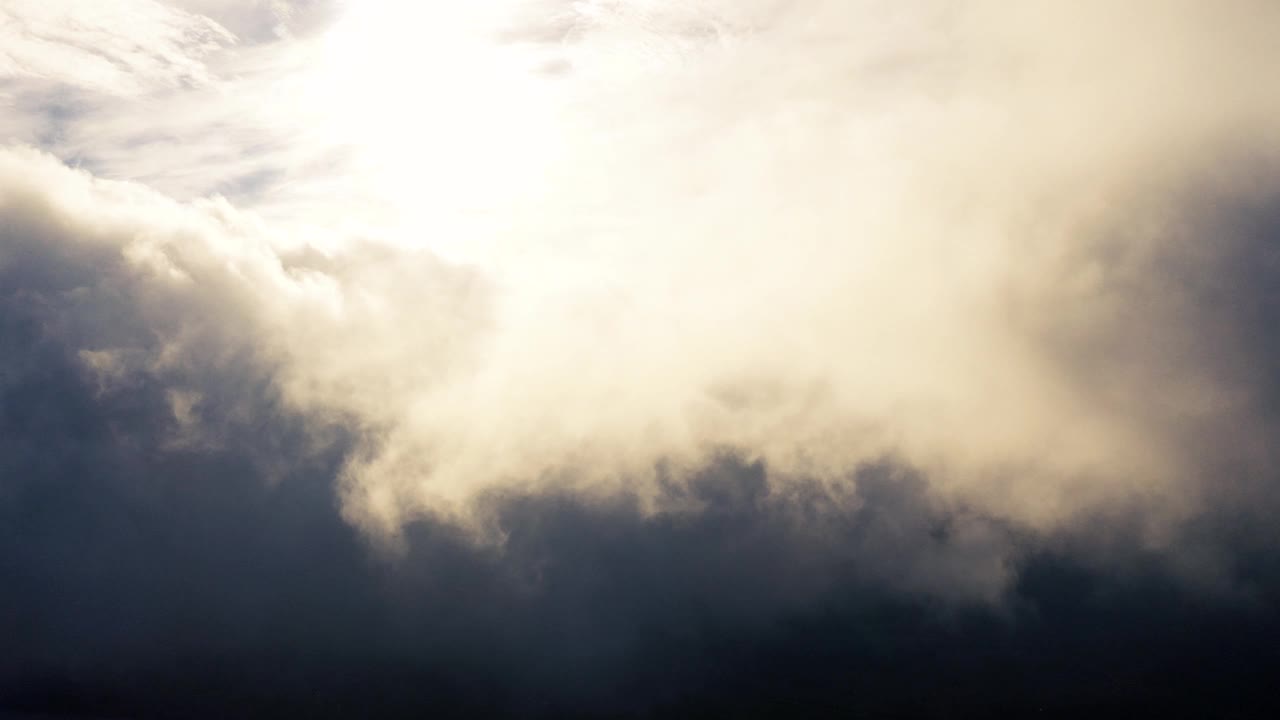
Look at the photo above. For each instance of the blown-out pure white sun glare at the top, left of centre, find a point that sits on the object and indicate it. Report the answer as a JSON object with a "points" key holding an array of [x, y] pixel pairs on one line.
{"points": [[446, 122]]}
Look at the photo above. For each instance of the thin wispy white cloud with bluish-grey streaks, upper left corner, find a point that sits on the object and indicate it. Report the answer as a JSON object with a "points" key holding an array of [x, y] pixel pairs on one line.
{"points": [[162, 94]]}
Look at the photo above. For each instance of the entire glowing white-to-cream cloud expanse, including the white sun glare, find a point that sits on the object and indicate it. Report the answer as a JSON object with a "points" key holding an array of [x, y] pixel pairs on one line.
{"points": [[816, 234]]}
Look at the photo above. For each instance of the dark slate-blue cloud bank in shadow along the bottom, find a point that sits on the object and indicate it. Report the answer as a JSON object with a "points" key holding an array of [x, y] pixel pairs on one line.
{"points": [[150, 580]]}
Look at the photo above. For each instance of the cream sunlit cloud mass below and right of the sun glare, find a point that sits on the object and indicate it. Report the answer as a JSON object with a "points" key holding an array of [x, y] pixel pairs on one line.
{"points": [[908, 267]]}
